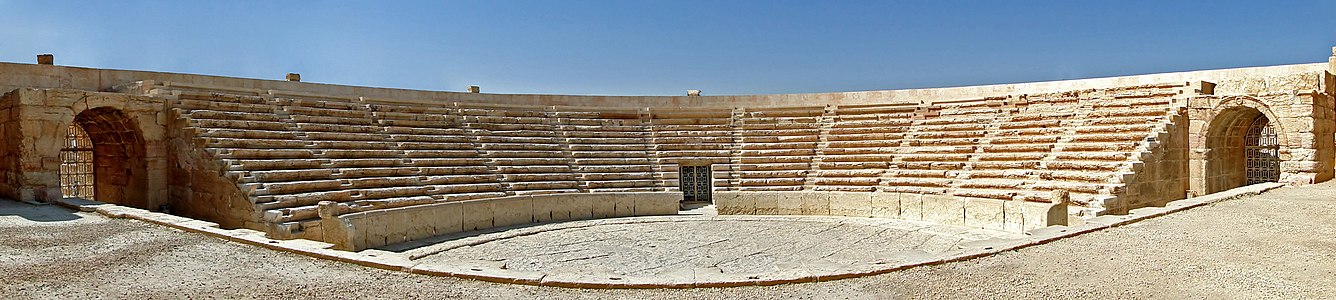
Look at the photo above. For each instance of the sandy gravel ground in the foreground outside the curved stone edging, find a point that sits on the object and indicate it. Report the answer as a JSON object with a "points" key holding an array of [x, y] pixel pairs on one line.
{"points": [[1277, 246]]}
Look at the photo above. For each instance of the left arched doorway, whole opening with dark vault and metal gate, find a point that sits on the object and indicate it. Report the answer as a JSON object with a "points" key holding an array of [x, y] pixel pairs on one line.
{"points": [[106, 159]]}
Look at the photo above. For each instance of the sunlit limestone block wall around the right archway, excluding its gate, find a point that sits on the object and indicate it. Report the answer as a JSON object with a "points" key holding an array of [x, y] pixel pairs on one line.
{"points": [[1301, 110]]}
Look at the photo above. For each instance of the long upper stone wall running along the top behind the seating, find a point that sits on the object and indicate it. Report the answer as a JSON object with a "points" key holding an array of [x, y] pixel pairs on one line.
{"points": [[1252, 81]]}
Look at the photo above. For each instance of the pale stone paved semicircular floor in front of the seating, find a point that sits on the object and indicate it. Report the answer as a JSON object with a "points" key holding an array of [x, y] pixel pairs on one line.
{"points": [[718, 245]]}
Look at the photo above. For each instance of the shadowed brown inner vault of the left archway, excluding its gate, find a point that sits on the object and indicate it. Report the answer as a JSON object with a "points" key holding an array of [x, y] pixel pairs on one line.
{"points": [[121, 167]]}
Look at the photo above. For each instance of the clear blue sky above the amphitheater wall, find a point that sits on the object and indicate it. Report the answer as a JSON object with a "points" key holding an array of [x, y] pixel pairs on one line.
{"points": [[669, 47]]}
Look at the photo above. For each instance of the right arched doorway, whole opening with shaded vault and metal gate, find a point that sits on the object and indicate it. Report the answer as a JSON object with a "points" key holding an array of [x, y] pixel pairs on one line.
{"points": [[1243, 147]]}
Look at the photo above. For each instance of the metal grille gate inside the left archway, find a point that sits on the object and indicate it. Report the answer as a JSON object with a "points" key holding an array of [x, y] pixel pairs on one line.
{"points": [[77, 175]]}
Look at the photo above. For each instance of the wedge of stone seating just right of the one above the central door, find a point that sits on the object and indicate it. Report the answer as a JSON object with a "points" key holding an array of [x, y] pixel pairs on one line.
{"points": [[777, 147]]}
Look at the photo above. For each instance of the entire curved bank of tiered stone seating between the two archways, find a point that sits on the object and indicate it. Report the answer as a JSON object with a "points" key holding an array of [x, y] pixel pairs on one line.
{"points": [[293, 151]]}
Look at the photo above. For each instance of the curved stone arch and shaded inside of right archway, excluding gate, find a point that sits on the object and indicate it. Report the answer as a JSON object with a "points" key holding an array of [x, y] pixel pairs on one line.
{"points": [[1224, 146]]}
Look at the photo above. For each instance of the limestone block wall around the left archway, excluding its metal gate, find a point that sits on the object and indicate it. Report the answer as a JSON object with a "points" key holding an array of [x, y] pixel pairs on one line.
{"points": [[129, 134]]}
